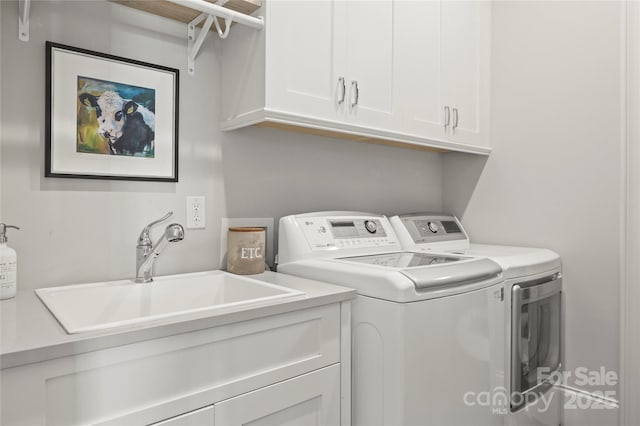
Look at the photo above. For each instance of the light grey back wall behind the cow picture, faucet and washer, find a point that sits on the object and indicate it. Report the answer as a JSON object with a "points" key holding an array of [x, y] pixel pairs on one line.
{"points": [[82, 230]]}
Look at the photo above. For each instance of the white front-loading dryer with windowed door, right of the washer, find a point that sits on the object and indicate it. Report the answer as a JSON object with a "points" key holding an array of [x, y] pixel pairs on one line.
{"points": [[533, 314]]}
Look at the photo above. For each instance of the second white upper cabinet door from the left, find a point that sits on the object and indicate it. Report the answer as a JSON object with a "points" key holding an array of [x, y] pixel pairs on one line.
{"points": [[370, 61]]}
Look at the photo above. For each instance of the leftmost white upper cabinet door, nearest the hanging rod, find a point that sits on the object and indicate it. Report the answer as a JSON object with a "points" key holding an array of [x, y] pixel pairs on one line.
{"points": [[301, 59]]}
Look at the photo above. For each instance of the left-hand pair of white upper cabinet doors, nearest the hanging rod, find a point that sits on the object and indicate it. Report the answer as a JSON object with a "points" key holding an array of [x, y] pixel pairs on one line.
{"points": [[331, 60]]}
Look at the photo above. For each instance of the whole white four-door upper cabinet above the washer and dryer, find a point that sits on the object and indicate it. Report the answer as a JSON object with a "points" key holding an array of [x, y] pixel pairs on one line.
{"points": [[402, 71]]}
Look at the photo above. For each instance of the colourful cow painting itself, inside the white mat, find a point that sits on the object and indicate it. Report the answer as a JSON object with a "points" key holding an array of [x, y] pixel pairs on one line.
{"points": [[115, 118]]}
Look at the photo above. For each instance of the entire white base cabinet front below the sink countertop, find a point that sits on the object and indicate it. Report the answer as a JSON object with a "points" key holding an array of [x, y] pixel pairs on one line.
{"points": [[281, 369]]}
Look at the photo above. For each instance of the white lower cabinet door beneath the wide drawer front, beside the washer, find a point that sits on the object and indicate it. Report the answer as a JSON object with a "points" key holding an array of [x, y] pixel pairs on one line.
{"points": [[310, 399]]}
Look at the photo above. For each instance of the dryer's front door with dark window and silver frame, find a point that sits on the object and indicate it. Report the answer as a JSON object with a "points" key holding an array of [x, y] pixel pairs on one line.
{"points": [[536, 324]]}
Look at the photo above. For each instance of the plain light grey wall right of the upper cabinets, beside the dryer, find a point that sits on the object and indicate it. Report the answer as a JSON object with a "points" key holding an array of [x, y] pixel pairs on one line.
{"points": [[554, 177]]}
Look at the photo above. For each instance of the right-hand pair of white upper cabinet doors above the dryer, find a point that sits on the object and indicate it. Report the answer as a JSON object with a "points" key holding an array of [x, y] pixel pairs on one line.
{"points": [[443, 67]]}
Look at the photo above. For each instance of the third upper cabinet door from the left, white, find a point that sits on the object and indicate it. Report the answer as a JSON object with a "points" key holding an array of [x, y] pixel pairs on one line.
{"points": [[419, 82]]}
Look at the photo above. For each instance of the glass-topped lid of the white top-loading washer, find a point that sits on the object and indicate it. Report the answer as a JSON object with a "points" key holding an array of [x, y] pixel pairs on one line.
{"points": [[428, 271]]}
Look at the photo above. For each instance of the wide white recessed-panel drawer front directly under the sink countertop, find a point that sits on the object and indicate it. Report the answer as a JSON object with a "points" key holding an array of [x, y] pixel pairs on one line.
{"points": [[149, 381]]}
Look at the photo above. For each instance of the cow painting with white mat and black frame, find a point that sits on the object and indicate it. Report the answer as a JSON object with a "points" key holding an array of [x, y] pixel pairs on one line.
{"points": [[109, 117]]}
